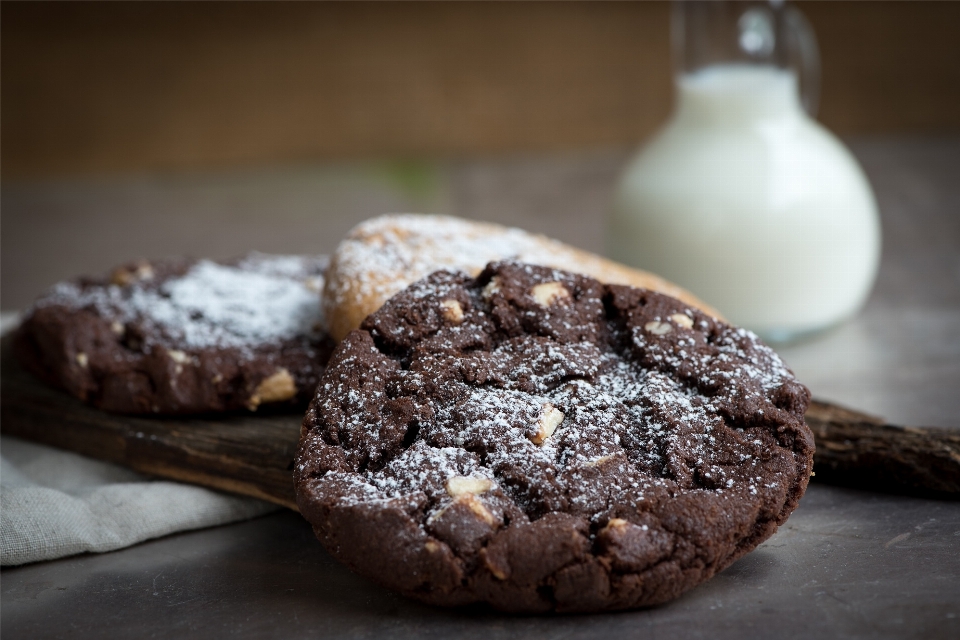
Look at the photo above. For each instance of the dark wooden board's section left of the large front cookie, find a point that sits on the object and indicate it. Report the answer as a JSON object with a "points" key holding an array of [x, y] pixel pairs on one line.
{"points": [[247, 454]]}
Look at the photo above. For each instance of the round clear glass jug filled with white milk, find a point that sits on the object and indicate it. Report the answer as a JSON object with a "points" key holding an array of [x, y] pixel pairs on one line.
{"points": [[742, 197]]}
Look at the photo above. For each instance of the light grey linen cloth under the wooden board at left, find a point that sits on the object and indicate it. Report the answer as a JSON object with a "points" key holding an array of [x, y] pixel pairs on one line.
{"points": [[55, 503]]}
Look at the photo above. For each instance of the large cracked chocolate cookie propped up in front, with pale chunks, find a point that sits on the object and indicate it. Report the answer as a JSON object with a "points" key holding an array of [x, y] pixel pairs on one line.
{"points": [[541, 441]]}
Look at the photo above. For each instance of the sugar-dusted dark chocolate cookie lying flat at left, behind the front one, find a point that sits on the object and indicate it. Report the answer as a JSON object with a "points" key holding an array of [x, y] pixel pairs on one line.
{"points": [[183, 336]]}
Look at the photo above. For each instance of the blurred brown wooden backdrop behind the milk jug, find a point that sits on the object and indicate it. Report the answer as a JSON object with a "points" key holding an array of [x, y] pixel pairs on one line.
{"points": [[130, 87]]}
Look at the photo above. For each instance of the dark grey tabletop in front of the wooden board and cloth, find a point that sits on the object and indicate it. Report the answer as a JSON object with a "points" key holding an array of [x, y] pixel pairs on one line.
{"points": [[847, 564]]}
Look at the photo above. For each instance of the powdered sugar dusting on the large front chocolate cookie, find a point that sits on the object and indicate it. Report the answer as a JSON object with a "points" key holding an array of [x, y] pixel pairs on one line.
{"points": [[683, 410]]}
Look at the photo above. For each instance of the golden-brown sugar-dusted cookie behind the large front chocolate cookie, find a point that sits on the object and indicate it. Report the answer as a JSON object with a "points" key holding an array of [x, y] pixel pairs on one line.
{"points": [[384, 255]]}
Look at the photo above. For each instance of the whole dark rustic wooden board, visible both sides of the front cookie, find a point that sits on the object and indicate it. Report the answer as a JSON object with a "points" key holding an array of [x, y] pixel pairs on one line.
{"points": [[252, 454]]}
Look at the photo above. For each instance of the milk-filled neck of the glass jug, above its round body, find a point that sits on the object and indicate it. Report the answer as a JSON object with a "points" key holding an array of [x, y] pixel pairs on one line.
{"points": [[732, 93]]}
